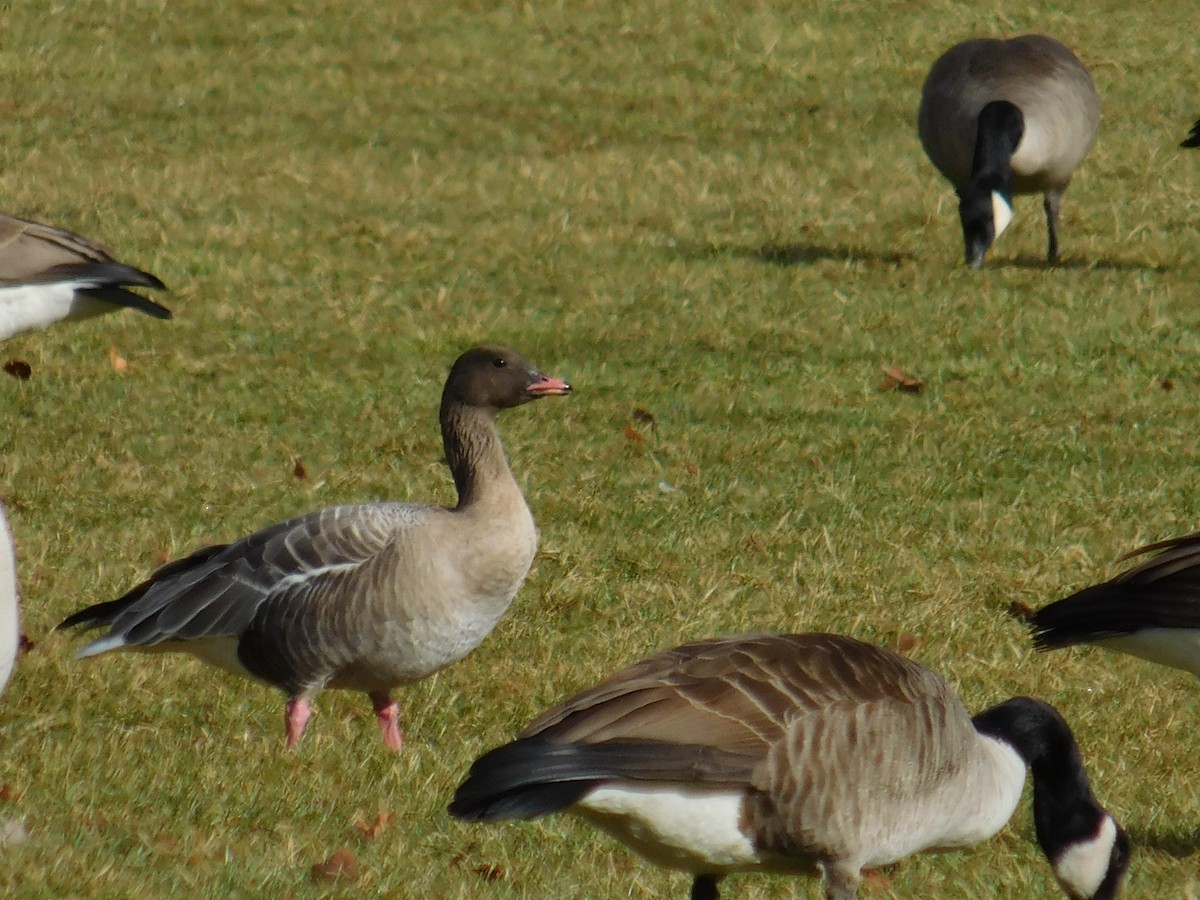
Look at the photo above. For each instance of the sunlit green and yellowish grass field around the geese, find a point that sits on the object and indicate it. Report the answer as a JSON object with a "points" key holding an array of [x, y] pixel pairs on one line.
{"points": [[715, 212]]}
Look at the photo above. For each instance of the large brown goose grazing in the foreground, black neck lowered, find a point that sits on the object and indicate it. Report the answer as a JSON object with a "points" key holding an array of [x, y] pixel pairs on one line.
{"points": [[797, 753]]}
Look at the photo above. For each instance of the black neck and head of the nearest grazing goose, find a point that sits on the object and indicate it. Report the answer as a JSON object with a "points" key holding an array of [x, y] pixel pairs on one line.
{"points": [[1066, 813]]}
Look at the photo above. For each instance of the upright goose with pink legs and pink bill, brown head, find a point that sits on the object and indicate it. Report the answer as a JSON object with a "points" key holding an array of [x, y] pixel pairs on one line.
{"points": [[364, 597]]}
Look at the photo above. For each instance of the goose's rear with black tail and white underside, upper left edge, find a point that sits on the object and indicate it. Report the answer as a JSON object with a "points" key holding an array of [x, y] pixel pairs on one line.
{"points": [[49, 275]]}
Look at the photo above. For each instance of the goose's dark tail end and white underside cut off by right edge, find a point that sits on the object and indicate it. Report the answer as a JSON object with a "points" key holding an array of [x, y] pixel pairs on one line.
{"points": [[1151, 611]]}
